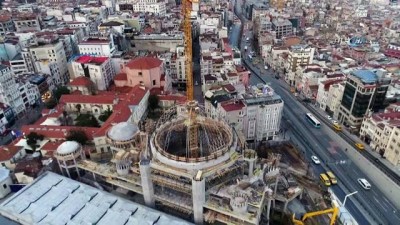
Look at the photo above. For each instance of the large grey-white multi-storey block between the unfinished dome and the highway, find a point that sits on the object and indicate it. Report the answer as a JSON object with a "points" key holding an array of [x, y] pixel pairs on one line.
{"points": [[263, 113]]}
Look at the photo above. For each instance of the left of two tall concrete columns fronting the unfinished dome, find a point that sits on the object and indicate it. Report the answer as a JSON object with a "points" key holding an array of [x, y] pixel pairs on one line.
{"points": [[147, 183]]}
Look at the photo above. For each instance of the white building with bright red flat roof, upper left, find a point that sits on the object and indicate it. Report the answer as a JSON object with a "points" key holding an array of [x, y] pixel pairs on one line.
{"points": [[98, 69]]}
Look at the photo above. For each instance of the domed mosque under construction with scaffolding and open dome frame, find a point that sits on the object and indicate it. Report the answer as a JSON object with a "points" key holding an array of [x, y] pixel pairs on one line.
{"points": [[208, 178]]}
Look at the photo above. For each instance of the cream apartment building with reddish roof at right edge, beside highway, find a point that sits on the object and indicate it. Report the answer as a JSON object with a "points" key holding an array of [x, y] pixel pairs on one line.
{"points": [[382, 132]]}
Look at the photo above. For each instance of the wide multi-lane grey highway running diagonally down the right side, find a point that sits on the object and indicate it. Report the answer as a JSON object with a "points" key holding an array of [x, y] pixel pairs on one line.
{"points": [[367, 207]]}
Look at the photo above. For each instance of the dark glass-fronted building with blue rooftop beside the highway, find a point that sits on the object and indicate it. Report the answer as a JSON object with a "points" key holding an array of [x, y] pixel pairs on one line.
{"points": [[364, 90]]}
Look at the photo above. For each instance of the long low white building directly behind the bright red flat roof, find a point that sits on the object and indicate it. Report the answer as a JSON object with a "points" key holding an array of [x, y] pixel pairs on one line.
{"points": [[97, 46]]}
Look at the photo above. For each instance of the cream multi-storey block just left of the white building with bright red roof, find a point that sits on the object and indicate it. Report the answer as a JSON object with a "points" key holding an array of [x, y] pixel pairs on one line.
{"points": [[51, 59]]}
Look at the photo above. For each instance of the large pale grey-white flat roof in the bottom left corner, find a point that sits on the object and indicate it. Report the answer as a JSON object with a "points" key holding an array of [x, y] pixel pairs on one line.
{"points": [[55, 199]]}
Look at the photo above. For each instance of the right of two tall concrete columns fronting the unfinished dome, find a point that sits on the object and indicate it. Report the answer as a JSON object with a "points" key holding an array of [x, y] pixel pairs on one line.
{"points": [[198, 198]]}
